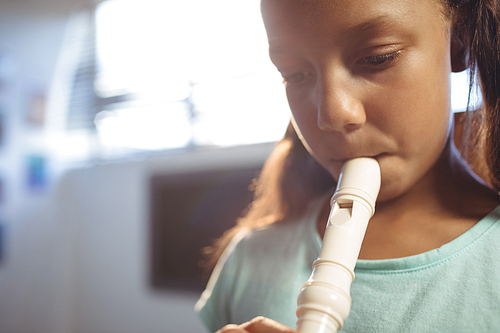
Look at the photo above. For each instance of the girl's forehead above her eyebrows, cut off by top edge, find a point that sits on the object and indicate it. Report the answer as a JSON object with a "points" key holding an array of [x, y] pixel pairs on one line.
{"points": [[299, 16]]}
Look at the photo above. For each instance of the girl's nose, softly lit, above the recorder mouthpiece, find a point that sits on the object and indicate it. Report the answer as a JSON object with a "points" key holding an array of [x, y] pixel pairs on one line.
{"points": [[339, 109]]}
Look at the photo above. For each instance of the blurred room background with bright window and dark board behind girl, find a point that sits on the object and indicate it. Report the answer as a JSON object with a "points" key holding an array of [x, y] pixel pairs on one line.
{"points": [[130, 131]]}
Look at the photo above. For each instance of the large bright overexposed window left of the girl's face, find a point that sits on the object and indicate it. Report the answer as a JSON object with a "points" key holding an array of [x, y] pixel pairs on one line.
{"points": [[198, 70]]}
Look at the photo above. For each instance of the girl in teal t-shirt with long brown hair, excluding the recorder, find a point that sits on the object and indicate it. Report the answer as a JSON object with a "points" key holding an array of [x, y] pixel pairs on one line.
{"points": [[371, 78]]}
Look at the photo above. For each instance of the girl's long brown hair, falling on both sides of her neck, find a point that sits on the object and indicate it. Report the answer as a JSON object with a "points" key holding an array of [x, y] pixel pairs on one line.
{"points": [[291, 178]]}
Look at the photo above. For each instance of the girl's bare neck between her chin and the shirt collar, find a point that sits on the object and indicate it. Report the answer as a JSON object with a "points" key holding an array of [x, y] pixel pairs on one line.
{"points": [[444, 204]]}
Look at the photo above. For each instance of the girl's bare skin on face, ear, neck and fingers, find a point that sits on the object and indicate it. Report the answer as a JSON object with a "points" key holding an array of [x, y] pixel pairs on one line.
{"points": [[371, 78]]}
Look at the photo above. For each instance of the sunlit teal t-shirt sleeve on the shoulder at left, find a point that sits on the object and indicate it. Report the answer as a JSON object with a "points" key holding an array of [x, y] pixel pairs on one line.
{"points": [[213, 307]]}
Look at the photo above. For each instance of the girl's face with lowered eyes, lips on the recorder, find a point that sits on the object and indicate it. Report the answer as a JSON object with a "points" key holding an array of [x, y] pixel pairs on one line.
{"points": [[366, 78]]}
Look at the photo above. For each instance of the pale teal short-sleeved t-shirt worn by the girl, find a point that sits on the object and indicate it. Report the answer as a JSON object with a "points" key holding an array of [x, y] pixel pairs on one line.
{"points": [[454, 288]]}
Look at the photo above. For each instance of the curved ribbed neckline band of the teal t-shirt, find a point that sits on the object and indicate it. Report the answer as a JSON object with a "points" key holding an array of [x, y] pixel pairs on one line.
{"points": [[418, 261]]}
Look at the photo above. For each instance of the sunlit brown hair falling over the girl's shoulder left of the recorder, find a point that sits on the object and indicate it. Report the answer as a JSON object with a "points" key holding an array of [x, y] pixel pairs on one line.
{"points": [[289, 180]]}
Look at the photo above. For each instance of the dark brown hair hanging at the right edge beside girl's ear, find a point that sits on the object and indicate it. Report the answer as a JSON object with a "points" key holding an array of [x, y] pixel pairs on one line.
{"points": [[479, 21]]}
